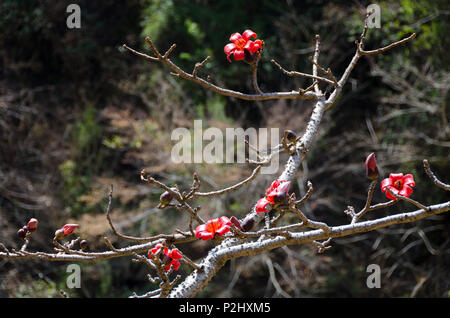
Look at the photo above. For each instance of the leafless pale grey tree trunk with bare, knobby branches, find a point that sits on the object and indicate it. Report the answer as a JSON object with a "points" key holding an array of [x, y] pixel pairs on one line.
{"points": [[256, 233]]}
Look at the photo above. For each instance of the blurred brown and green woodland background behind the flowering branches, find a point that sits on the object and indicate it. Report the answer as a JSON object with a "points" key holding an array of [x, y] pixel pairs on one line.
{"points": [[78, 113]]}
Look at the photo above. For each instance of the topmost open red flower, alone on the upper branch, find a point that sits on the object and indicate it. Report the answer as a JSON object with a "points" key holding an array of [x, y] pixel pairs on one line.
{"points": [[241, 43]]}
